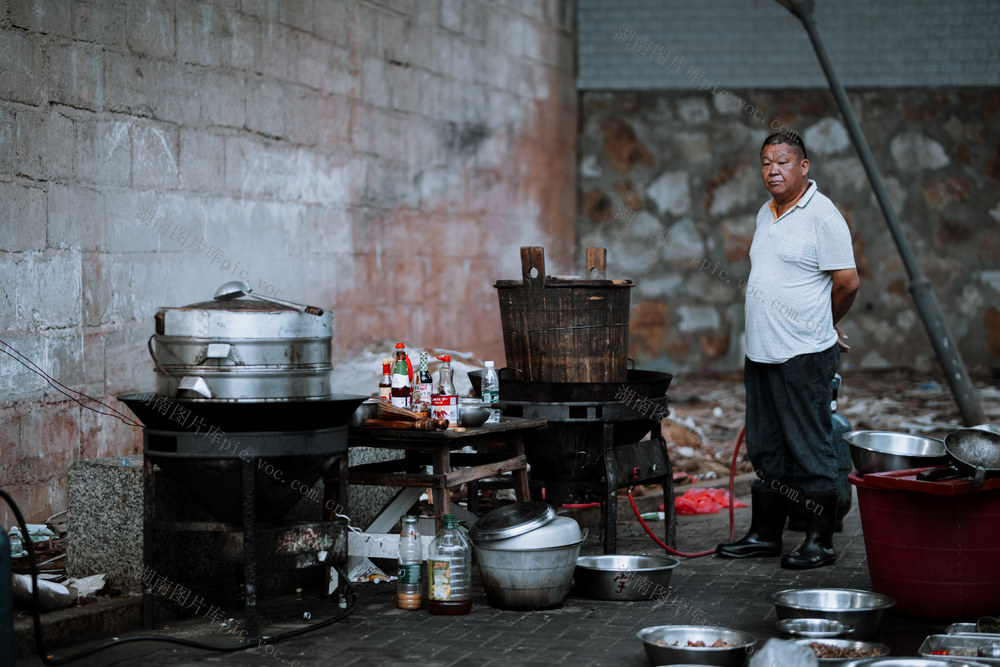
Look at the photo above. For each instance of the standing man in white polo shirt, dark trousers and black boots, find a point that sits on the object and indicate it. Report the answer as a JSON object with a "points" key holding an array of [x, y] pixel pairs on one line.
{"points": [[802, 282]]}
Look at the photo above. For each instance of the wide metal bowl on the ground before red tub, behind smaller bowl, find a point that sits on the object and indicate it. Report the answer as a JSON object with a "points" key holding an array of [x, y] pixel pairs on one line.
{"points": [[862, 609]]}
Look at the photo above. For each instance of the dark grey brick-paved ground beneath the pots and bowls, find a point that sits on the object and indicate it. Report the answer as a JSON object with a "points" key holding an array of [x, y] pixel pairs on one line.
{"points": [[580, 632]]}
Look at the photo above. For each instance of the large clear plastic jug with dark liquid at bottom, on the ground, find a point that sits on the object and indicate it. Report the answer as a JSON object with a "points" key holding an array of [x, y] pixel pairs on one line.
{"points": [[449, 570]]}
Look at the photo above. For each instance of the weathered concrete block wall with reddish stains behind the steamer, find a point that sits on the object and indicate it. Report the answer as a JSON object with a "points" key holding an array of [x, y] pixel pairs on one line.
{"points": [[384, 159]]}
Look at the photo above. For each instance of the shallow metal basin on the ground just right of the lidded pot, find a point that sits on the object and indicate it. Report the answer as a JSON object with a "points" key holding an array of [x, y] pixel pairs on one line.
{"points": [[624, 577]]}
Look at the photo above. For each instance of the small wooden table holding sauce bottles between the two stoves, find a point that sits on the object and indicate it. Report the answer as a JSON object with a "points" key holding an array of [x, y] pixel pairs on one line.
{"points": [[499, 449]]}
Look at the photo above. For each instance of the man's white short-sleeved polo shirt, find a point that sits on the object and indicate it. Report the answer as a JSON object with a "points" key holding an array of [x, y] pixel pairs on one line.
{"points": [[788, 307]]}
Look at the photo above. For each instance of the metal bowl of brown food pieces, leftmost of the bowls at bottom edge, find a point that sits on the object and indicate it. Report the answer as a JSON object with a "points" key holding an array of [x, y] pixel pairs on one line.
{"points": [[658, 641]]}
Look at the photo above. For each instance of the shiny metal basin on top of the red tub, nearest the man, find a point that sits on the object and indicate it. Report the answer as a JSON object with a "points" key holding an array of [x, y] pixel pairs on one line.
{"points": [[883, 451]]}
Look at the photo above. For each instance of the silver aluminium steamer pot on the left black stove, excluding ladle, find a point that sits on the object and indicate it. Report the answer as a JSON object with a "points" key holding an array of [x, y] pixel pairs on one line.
{"points": [[241, 349]]}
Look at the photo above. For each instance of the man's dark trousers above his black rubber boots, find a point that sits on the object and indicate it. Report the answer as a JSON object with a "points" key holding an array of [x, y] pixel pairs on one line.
{"points": [[788, 423]]}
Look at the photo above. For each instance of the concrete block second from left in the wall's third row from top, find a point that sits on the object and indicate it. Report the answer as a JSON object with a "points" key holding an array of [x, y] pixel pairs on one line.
{"points": [[44, 144]]}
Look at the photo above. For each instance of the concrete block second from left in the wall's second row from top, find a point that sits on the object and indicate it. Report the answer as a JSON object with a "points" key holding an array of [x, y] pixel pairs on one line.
{"points": [[73, 71]]}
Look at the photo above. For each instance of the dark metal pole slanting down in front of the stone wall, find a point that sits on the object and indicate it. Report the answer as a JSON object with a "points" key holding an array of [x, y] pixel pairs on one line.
{"points": [[923, 297]]}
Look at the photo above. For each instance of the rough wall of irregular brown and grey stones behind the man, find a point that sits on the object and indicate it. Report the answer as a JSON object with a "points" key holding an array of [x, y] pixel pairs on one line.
{"points": [[670, 184]]}
